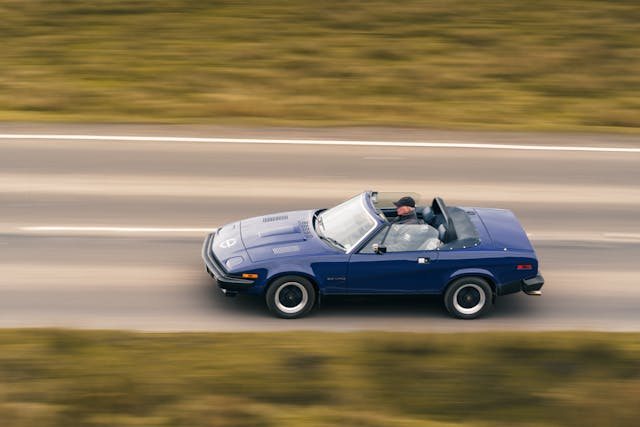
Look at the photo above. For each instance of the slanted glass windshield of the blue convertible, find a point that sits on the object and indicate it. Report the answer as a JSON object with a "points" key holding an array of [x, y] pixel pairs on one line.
{"points": [[346, 224]]}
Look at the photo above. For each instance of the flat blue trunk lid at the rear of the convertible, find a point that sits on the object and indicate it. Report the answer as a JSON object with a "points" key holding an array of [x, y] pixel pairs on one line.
{"points": [[504, 229]]}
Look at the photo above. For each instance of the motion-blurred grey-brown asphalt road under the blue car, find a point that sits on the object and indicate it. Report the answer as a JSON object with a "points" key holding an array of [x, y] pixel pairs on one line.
{"points": [[101, 233]]}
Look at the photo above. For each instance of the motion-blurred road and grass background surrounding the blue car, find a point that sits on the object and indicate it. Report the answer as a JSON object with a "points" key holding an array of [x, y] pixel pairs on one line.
{"points": [[106, 234]]}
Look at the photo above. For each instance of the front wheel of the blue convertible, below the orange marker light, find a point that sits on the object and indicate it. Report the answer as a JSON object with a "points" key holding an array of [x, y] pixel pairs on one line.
{"points": [[290, 297]]}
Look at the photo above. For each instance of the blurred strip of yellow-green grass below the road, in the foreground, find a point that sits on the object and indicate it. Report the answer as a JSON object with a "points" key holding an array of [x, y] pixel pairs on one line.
{"points": [[85, 378]]}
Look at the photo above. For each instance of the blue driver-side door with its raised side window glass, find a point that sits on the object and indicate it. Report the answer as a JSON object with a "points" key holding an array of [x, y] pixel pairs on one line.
{"points": [[404, 268]]}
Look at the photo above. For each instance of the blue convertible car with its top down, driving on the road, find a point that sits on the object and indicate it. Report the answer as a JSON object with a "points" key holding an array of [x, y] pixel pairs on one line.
{"points": [[468, 255]]}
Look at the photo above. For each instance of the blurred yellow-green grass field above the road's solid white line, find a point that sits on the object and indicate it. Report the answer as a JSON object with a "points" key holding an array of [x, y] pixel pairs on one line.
{"points": [[546, 65]]}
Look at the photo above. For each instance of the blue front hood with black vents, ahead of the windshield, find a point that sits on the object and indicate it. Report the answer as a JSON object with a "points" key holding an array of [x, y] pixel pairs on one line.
{"points": [[281, 234]]}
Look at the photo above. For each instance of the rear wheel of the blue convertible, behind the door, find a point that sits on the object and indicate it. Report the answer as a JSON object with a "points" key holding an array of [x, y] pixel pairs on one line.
{"points": [[468, 298]]}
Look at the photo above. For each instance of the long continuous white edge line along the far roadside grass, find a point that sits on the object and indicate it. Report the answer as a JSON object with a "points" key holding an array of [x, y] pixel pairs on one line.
{"points": [[433, 144]]}
